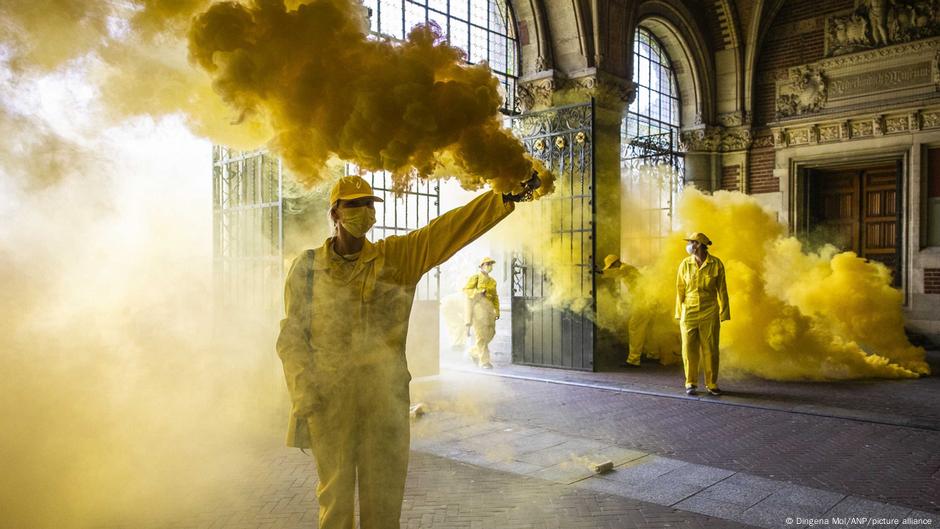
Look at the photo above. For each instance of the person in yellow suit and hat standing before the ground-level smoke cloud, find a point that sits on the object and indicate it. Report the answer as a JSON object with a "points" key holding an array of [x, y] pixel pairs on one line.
{"points": [[701, 306]]}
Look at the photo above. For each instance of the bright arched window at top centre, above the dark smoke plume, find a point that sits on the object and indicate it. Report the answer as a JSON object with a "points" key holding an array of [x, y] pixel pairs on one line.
{"points": [[484, 29]]}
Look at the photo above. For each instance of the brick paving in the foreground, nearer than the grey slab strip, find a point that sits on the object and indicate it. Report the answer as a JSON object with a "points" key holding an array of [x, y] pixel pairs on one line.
{"points": [[278, 493]]}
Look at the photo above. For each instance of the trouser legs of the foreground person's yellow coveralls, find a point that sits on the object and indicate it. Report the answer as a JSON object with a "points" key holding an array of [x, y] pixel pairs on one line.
{"points": [[361, 431]]}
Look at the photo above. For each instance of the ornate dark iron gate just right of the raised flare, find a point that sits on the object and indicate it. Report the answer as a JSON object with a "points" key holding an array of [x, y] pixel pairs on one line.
{"points": [[553, 299]]}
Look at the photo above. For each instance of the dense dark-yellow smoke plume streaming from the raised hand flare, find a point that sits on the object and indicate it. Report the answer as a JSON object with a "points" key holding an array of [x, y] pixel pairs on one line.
{"points": [[408, 108]]}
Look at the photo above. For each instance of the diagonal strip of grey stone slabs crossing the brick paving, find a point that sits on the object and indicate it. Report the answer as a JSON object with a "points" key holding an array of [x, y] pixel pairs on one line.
{"points": [[718, 492]]}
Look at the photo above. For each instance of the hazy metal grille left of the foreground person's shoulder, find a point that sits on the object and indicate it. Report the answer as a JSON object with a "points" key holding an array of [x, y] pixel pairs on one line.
{"points": [[248, 234]]}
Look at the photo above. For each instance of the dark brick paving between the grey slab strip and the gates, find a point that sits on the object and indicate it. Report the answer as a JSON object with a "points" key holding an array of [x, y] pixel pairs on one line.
{"points": [[853, 456]]}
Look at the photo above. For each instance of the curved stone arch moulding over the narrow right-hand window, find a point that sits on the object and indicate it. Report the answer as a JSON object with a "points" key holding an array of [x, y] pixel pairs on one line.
{"points": [[685, 43]]}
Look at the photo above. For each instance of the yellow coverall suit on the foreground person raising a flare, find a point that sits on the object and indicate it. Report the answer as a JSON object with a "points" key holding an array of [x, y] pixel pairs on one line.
{"points": [[342, 344]]}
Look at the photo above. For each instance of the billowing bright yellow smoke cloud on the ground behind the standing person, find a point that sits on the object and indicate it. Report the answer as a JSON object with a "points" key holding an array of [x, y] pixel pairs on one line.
{"points": [[795, 315]]}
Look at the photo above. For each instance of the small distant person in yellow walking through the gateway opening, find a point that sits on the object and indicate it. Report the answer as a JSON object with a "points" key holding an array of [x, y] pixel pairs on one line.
{"points": [[482, 312]]}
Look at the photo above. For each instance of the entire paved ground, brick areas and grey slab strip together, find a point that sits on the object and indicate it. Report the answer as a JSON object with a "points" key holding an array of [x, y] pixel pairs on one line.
{"points": [[497, 452]]}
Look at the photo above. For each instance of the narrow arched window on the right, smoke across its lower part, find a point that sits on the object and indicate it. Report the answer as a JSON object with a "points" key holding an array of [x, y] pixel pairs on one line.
{"points": [[651, 162]]}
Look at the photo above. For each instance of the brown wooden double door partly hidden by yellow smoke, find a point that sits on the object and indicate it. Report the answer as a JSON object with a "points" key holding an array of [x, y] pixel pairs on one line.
{"points": [[859, 209]]}
